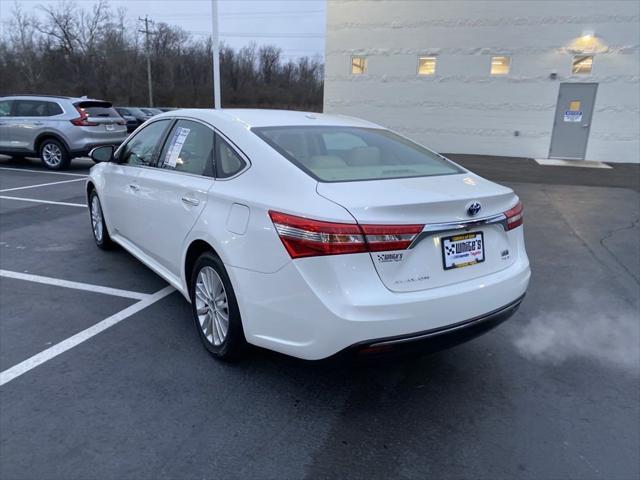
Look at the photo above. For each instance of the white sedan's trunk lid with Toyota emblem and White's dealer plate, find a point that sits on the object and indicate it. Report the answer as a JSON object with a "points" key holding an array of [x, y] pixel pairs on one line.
{"points": [[441, 203]]}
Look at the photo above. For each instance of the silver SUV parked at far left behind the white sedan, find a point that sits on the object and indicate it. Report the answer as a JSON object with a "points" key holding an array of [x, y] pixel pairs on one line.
{"points": [[57, 129]]}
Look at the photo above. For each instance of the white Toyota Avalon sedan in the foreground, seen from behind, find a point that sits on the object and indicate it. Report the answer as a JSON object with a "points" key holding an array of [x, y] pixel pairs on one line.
{"points": [[311, 234]]}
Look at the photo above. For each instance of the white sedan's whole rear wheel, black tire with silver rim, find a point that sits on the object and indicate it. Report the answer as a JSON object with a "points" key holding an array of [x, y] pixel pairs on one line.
{"points": [[212, 301]]}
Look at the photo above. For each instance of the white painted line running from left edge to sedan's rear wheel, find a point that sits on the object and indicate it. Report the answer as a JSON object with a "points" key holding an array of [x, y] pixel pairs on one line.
{"points": [[80, 337]]}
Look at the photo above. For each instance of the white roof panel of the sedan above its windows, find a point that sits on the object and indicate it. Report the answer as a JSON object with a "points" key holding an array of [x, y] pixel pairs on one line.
{"points": [[253, 117]]}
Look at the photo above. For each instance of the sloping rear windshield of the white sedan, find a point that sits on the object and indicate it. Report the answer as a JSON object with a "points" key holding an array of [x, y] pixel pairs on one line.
{"points": [[340, 154]]}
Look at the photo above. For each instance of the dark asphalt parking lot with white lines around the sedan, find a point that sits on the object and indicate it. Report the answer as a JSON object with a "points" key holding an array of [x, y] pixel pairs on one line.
{"points": [[103, 374]]}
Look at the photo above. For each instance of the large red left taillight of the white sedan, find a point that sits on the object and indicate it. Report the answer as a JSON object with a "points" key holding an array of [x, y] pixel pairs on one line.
{"points": [[303, 237]]}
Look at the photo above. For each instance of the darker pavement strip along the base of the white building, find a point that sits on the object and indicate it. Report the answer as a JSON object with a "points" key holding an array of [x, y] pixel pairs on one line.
{"points": [[514, 169]]}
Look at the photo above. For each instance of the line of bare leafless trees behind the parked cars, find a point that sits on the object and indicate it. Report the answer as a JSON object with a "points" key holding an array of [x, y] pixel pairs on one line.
{"points": [[99, 53]]}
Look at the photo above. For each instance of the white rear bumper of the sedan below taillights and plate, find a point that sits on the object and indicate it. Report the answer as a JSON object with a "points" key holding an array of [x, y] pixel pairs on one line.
{"points": [[314, 308]]}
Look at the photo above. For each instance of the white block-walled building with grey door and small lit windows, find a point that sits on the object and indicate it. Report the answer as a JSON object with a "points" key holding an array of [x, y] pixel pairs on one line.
{"points": [[540, 79]]}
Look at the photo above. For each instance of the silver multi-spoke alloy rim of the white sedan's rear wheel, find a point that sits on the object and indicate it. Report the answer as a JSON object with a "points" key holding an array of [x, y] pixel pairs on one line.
{"points": [[212, 306]]}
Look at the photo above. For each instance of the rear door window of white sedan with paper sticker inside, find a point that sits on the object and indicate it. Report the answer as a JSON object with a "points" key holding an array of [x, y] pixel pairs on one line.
{"points": [[189, 149]]}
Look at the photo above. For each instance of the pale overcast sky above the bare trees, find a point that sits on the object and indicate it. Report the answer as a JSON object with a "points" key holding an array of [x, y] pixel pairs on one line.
{"points": [[296, 26]]}
